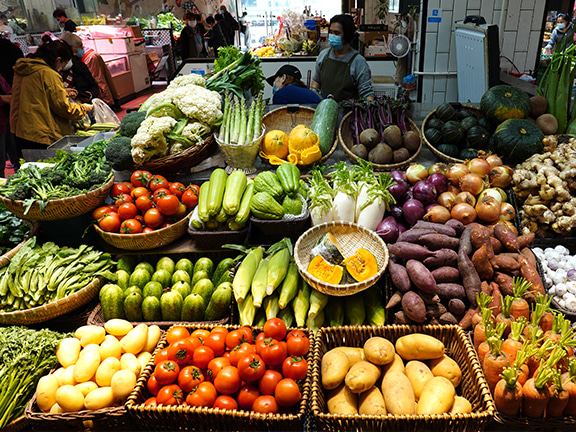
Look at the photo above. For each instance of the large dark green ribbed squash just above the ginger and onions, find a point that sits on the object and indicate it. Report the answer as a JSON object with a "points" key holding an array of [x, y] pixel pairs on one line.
{"points": [[518, 139]]}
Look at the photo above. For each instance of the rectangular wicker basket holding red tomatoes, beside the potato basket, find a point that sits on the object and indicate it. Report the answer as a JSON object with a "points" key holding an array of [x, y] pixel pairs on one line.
{"points": [[179, 417]]}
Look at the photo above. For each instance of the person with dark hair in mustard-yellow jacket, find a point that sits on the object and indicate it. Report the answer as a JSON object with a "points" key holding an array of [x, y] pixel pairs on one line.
{"points": [[40, 111]]}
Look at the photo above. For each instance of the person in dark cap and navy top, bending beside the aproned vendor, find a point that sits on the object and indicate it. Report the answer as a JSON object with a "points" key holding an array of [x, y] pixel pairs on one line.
{"points": [[288, 88]]}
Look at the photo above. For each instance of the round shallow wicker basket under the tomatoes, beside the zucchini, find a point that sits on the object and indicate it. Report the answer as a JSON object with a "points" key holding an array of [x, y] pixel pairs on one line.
{"points": [[144, 241]]}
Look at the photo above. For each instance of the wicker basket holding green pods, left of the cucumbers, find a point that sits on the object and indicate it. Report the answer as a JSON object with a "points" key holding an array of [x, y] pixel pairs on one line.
{"points": [[54, 309]]}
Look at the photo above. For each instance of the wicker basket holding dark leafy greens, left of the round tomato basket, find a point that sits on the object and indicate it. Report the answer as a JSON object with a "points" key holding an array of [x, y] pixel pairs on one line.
{"points": [[61, 208]]}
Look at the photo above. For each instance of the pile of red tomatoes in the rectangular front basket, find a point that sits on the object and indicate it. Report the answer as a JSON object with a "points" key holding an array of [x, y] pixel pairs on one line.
{"points": [[231, 369]]}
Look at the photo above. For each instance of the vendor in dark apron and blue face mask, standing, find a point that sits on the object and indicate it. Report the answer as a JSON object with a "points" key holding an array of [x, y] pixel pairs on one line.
{"points": [[340, 70]]}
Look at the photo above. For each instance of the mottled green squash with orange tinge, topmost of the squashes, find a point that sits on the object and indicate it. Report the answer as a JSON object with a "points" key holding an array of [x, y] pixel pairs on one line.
{"points": [[503, 102]]}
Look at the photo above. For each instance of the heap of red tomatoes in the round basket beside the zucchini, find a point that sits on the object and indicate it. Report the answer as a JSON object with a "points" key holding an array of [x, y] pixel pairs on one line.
{"points": [[146, 203]]}
